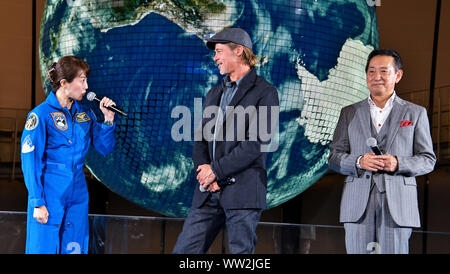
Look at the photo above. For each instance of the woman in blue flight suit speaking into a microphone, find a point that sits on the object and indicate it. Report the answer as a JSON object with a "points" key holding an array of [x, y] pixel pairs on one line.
{"points": [[55, 141]]}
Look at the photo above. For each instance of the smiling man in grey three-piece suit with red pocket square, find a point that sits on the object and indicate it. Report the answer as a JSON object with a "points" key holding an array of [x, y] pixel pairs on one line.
{"points": [[379, 202]]}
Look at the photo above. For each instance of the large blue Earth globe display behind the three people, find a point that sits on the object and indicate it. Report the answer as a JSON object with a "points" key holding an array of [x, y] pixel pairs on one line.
{"points": [[149, 56]]}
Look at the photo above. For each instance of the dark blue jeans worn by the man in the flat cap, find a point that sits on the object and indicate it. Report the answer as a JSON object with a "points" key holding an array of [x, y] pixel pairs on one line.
{"points": [[203, 224]]}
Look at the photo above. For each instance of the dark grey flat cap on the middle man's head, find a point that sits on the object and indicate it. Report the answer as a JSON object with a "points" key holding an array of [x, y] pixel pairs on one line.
{"points": [[235, 35]]}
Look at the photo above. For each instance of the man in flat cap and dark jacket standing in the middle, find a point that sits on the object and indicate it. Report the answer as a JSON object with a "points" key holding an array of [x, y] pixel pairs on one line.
{"points": [[231, 171]]}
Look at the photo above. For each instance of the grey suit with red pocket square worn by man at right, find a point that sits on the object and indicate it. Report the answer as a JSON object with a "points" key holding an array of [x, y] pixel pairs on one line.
{"points": [[394, 199]]}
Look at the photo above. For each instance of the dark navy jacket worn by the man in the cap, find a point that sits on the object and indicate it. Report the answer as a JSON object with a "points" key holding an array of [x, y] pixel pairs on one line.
{"points": [[240, 164]]}
